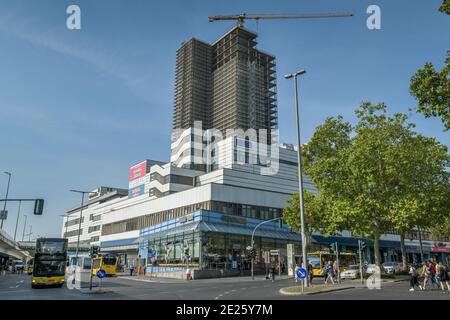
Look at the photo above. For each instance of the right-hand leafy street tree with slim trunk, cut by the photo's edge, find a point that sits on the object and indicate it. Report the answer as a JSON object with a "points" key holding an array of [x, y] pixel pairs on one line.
{"points": [[423, 190]]}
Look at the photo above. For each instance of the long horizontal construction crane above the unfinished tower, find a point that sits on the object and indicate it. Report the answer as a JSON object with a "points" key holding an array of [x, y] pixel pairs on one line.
{"points": [[244, 16]]}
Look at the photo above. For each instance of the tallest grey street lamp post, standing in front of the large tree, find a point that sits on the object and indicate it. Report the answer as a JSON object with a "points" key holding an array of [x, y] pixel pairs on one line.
{"points": [[300, 176]]}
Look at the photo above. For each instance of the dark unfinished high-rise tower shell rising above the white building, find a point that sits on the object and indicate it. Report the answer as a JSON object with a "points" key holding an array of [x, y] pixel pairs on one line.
{"points": [[229, 84]]}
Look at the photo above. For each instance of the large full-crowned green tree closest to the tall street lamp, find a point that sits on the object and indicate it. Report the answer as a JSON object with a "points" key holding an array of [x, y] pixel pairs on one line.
{"points": [[360, 174]]}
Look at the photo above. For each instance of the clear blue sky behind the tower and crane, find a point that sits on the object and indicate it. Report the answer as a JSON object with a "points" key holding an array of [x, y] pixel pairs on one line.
{"points": [[78, 108]]}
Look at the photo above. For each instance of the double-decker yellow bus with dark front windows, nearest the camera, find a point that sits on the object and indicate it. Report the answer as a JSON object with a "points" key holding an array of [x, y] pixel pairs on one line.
{"points": [[49, 267]]}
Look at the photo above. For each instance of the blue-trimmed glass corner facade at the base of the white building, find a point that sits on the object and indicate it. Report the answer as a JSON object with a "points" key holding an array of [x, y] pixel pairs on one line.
{"points": [[226, 248]]}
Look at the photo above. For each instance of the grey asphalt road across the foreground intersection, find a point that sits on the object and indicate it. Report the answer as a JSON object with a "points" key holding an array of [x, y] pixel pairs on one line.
{"points": [[17, 287]]}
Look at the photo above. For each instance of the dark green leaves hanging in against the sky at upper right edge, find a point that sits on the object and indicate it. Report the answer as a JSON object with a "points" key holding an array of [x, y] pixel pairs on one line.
{"points": [[431, 88]]}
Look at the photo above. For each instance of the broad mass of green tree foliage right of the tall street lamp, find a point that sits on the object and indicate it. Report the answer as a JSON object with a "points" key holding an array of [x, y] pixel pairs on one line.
{"points": [[373, 177]]}
